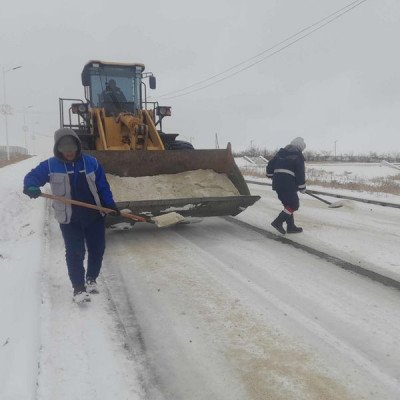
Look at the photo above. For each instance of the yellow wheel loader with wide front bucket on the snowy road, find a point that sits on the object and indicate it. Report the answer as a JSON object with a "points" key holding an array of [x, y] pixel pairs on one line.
{"points": [[119, 126]]}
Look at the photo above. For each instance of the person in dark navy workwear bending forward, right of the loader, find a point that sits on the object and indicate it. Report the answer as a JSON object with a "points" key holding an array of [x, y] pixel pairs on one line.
{"points": [[287, 171]]}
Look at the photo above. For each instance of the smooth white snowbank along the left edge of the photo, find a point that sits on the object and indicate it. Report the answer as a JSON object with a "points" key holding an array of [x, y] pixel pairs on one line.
{"points": [[20, 260]]}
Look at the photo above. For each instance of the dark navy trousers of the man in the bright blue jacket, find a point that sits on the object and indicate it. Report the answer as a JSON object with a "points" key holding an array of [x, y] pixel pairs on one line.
{"points": [[76, 236]]}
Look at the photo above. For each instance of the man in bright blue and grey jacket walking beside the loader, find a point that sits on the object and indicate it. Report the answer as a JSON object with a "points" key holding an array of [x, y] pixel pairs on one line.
{"points": [[76, 176]]}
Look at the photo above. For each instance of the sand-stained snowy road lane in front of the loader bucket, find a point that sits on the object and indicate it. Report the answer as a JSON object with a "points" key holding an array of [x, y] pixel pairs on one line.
{"points": [[226, 314]]}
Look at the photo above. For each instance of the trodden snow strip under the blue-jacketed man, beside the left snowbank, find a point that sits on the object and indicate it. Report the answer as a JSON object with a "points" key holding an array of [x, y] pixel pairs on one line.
{"points": [[83, 349]]}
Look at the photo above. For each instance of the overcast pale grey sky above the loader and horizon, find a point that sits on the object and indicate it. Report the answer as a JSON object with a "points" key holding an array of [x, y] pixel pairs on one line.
{"points": [[341, 83]]}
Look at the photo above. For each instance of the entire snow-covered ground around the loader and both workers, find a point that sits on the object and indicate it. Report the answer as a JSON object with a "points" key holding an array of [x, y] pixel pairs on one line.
{"points": [[212, 310]]}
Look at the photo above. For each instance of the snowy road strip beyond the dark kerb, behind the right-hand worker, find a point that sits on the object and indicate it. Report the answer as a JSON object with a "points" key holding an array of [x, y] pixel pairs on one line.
{"points": [[362, 234]]}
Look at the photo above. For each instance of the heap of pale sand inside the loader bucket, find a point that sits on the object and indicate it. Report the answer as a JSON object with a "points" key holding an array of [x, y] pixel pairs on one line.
{"points": [[198, 183]]}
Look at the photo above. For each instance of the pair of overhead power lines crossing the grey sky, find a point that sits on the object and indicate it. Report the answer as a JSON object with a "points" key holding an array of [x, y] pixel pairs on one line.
{"points": [[332, 17]]}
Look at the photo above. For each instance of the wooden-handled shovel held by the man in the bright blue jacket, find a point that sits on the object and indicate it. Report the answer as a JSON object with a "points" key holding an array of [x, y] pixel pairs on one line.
{"points": [[161, 221]]}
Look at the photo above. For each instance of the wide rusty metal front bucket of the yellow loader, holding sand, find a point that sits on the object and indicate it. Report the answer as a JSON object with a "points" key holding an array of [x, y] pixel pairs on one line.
{"points": [[151, 163]]}
